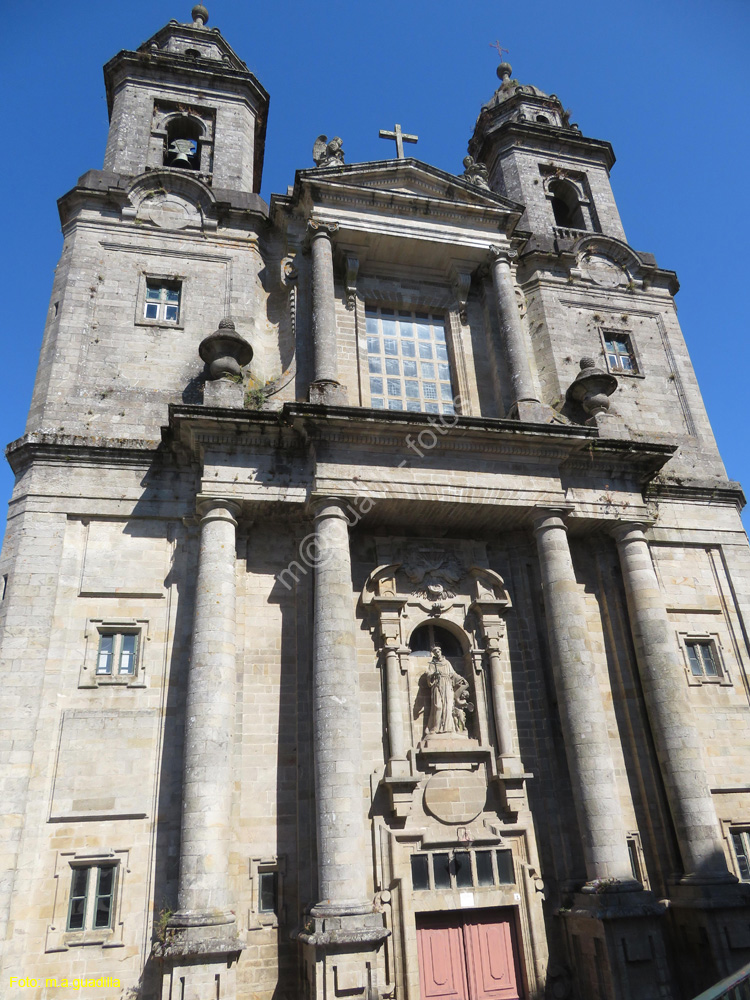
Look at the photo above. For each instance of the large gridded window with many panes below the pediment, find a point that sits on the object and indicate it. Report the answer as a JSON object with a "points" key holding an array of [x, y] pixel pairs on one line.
{"points": [[410, 350]]}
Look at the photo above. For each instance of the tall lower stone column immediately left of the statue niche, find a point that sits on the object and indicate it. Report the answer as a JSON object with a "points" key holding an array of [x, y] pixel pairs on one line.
{"points": [[342, 886]]}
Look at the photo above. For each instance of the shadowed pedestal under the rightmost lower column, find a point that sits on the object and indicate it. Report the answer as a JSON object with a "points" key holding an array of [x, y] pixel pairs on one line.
{"points": [[710, 924]]}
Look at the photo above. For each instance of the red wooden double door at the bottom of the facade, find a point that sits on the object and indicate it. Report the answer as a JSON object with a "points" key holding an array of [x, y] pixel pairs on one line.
{"points": [[467, 956]]}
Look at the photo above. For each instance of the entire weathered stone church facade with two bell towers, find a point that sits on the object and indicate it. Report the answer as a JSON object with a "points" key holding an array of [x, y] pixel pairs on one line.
{"points": [[375, 603]]}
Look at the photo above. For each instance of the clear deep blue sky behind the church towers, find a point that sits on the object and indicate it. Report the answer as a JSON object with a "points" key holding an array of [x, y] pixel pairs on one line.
{"points": [[665, 81]]}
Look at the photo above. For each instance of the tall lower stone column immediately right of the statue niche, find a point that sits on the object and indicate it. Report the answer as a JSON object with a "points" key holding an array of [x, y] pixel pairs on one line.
{"points": [[584, 722]]}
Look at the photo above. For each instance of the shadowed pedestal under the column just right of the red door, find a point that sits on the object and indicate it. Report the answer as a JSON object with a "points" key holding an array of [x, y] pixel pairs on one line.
{"points": [[615, 937]]}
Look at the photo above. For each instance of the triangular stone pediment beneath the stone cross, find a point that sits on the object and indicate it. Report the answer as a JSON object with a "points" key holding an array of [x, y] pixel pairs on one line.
{"points": [[399, 181]]}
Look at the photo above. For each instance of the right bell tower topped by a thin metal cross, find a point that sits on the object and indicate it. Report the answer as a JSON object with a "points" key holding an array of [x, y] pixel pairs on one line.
{"points": [[537, 157]]}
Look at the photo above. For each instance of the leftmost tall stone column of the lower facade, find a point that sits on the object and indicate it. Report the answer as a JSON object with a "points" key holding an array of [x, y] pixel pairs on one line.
{"points": [[204, 898]]}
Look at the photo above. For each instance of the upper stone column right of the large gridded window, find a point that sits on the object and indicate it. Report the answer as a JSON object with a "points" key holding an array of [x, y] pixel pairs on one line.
{"points": [[515, 341]]}
